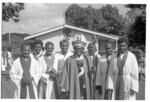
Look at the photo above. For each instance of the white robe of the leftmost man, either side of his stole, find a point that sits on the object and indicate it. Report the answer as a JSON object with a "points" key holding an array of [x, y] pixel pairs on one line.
{"points": [[16, 74]]}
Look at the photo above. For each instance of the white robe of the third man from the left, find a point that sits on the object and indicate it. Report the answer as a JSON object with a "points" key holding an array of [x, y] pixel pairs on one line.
{"points": [[45, 78]]}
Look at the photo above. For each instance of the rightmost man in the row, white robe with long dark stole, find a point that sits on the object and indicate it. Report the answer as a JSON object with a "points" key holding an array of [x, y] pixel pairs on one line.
{"points": [[127, 83]]}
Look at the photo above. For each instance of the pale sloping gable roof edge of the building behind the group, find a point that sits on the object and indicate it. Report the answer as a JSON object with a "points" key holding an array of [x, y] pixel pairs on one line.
{"points": [[71, 27]]}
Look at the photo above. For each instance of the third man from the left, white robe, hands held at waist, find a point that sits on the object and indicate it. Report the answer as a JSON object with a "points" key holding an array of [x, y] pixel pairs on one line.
{"points": [[48, 85]]}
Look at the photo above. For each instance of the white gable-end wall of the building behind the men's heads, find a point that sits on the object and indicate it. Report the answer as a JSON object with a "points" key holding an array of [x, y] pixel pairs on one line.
{"points": [[57, 36]]}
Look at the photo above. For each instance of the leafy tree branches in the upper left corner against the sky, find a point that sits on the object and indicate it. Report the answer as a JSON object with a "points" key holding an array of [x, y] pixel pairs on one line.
{"points": [[11, 11]]}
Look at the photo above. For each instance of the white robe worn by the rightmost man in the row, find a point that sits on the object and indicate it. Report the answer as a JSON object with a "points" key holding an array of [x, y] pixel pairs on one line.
{"points": [[130, 76]]}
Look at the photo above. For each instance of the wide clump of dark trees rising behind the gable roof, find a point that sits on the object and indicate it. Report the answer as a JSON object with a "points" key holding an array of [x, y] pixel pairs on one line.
{"points": [[106, 19]]}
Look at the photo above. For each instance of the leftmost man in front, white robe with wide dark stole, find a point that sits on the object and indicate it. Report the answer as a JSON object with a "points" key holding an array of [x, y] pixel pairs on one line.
{"points": [[25, 73]]}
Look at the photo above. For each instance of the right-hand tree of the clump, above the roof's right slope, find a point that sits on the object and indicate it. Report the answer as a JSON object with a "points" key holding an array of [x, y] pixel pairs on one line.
{"points": [[114, 21]]}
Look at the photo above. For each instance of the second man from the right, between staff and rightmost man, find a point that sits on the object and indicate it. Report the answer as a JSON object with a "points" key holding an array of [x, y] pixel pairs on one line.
{"points": [[106, 63]]}
